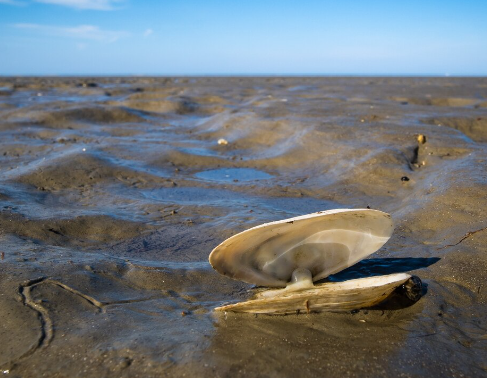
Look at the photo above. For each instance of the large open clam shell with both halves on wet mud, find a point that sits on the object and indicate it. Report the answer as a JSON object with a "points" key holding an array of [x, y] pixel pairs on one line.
{"points": [[294, 253]]}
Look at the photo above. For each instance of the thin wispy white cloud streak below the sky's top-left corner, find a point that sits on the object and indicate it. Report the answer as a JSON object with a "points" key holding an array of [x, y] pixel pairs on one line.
{"points": [[79, 32]]}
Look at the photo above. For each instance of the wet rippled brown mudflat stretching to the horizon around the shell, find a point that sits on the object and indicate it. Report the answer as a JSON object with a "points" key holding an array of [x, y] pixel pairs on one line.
{"points": [[114, 191]]}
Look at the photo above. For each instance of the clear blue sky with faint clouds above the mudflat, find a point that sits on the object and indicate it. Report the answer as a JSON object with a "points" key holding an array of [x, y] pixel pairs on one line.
{"points": [[245, 37]]}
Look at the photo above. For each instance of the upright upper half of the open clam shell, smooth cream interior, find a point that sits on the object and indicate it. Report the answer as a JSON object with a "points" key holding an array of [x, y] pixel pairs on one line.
{"points": [[324, 243]]}
